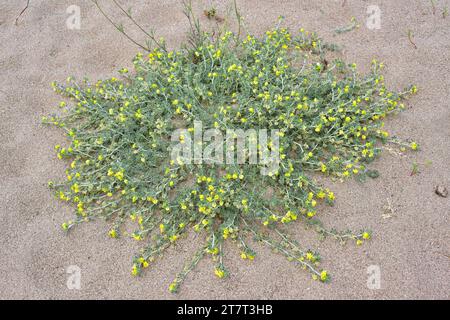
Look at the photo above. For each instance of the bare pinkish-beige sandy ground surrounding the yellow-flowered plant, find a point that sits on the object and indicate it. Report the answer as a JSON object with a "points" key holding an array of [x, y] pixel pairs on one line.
{"points": [[412, 248]]}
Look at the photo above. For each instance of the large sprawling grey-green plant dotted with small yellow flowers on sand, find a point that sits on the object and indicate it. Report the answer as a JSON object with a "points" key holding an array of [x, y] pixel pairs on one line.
{"points": [[330, 122]]}
